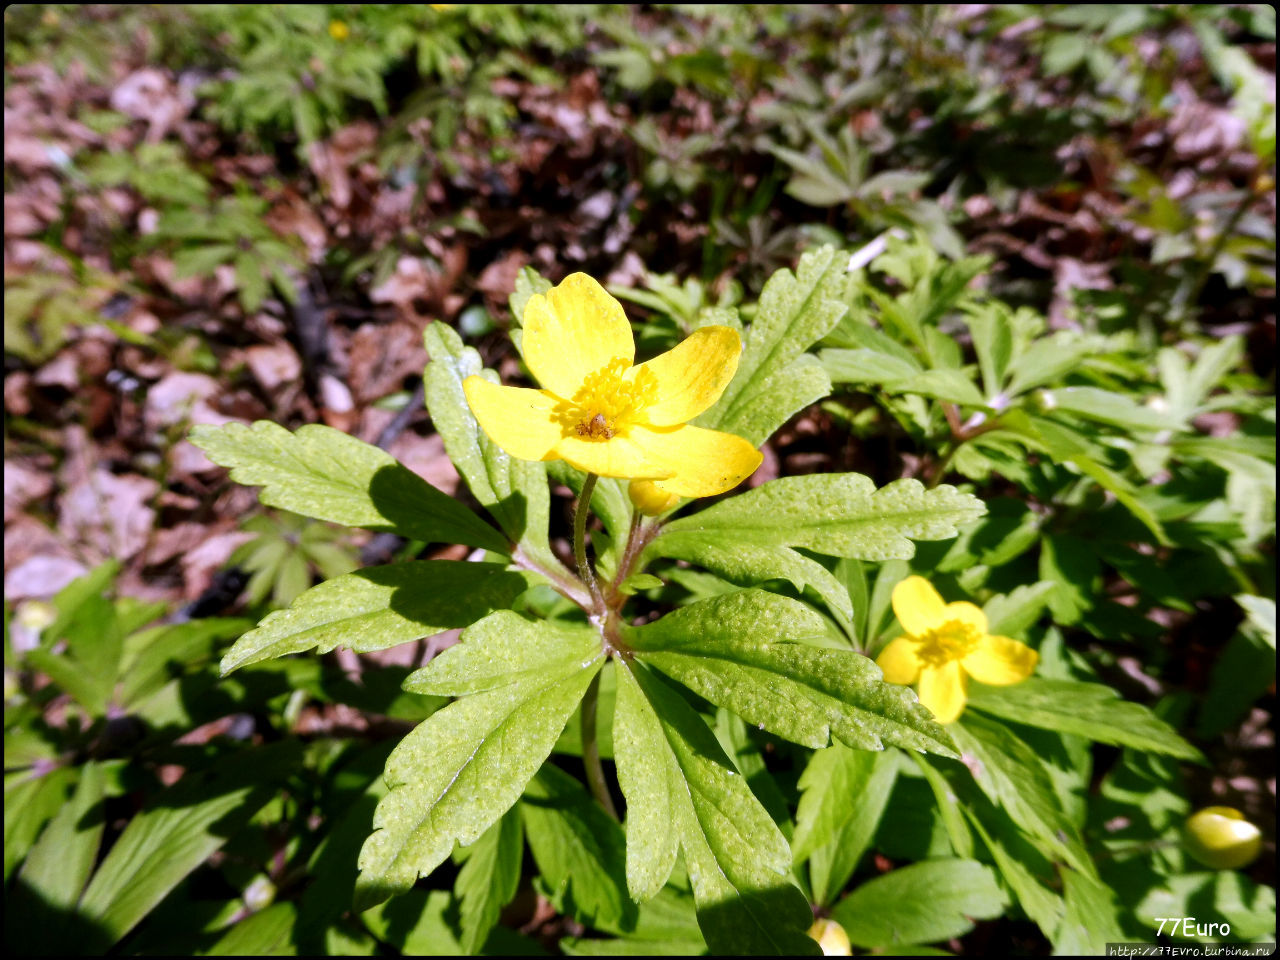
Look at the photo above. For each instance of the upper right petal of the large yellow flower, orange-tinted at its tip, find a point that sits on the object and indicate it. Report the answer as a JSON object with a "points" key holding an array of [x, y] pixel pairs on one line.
{"points": [[692, 376]]}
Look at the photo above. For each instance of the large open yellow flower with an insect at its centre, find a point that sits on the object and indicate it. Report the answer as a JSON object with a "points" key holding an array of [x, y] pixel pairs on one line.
{"points": [[605, 415]]}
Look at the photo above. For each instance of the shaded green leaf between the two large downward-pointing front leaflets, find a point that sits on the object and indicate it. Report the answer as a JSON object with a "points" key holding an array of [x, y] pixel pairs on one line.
{"points": [[580, 852]]}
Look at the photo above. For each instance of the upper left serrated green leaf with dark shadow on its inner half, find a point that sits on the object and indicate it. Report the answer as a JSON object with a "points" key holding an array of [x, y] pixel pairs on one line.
{"points": [[326, 474]]}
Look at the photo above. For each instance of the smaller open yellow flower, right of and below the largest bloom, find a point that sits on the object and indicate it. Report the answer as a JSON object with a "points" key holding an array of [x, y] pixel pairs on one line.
{"points": [[945, 644]]}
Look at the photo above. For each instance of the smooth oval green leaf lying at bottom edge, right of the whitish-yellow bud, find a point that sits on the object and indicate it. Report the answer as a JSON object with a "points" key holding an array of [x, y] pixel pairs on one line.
{"points": [[921, 904]]}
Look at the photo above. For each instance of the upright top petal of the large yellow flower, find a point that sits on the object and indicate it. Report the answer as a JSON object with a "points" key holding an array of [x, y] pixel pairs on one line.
{"points": [[573, 331]]}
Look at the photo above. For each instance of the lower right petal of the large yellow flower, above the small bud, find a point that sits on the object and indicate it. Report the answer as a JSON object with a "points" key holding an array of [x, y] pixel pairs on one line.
{"points": [[701, 463]]}
